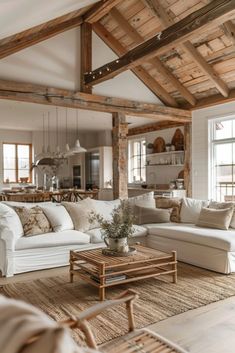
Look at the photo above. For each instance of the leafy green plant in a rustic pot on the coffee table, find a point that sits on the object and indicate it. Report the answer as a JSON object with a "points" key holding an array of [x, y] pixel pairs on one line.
{"points": [[118, 229]]}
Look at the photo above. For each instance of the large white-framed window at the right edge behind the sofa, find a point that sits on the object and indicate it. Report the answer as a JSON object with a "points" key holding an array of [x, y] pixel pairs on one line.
{"points": [[223, 159]]}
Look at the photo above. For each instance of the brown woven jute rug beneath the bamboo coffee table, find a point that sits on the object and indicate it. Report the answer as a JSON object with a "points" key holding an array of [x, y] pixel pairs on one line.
{"points": [[159, 298]]}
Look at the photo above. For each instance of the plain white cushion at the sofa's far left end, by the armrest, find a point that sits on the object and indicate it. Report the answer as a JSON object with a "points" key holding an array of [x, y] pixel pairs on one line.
{"points": [[10, 219]]}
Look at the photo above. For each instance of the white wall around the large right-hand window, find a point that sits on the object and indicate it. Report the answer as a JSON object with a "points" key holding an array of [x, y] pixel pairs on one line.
{"points": [[200, 146]]}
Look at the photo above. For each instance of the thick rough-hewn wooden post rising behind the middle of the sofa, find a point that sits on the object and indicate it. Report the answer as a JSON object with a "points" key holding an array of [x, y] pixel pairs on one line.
{"points": [[120, 162]]}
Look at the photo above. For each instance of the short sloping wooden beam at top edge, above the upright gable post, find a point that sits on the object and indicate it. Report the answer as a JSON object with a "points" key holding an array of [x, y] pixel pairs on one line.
{"points": [[99, 10]]}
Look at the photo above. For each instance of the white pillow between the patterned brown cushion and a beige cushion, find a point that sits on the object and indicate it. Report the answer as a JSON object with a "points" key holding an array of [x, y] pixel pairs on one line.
{"points": [[59, 217]]}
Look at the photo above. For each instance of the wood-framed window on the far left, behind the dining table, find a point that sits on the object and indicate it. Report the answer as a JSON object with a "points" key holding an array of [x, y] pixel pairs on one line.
{"points": [[17, 159]]}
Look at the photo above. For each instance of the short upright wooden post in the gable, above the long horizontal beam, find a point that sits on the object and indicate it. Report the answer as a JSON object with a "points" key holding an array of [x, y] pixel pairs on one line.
{"points": [[86, 54]]}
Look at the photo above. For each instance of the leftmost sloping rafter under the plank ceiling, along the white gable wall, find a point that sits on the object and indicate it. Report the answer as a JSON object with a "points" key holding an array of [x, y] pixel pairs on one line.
{"points": [[139, 71]]}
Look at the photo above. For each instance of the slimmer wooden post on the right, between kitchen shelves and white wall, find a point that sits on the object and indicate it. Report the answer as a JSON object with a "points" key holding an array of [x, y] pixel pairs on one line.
{"points": [[187, 158]]}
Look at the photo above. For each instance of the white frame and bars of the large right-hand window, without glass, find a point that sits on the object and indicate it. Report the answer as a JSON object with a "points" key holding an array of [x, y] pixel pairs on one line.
{"points": [[213, 142]]}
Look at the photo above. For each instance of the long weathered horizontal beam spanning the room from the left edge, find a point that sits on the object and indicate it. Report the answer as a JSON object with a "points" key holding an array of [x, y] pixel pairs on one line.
{"points": [[31, 93]]}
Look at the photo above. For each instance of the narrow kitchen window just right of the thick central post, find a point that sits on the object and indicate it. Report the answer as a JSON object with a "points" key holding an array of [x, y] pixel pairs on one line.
{"points": [[137, 160]]}
